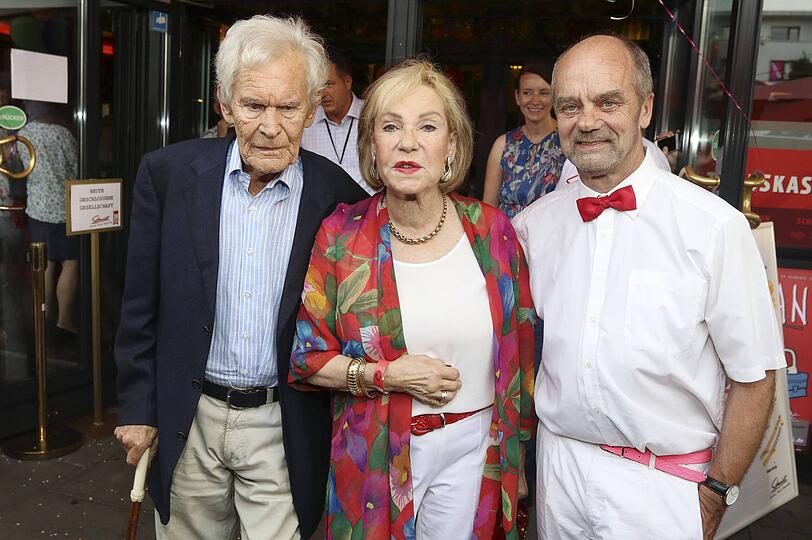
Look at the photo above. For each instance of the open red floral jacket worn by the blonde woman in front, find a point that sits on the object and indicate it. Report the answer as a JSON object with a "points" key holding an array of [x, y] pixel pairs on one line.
{"points": [[350, 307]]}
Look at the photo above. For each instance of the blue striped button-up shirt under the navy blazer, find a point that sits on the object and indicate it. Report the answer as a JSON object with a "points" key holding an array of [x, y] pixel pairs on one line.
{"points": [[256, 236]]}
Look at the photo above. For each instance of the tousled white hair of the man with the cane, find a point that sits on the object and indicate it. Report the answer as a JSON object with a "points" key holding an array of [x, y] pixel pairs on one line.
{"points": [[252, 42]]}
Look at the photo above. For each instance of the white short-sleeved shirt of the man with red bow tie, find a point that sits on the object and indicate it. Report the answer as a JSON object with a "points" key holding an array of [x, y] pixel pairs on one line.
{"points": [[645, 312]]}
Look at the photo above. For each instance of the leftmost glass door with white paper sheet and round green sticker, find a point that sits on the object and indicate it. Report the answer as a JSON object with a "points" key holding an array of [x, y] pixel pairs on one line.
{"points": [[33, 205]]}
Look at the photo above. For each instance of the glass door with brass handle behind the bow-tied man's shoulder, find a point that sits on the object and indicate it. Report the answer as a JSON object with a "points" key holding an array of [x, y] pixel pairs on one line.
{"points": [[718, 66]]}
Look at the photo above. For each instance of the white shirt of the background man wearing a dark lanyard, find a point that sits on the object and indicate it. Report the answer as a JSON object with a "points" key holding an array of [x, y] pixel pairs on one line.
{"points": [[338, 142]]}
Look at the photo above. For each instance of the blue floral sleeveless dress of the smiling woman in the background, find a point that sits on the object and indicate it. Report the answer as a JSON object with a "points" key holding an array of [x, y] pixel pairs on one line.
{"points": [[529, 170]]}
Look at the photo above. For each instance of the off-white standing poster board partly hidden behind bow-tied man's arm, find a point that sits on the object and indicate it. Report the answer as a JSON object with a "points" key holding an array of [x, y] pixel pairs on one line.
{"points": [[772, 479]]}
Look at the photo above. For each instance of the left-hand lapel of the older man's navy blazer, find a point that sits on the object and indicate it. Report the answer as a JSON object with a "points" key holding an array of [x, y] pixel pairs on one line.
{"points": [[203, 198]]}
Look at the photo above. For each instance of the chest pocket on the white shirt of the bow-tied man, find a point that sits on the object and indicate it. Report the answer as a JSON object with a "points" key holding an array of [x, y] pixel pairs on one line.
{"points": [[663, 311]]}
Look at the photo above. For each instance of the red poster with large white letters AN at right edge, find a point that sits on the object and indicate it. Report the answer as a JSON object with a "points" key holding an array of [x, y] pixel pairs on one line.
{"points": [[794, 296]]}
